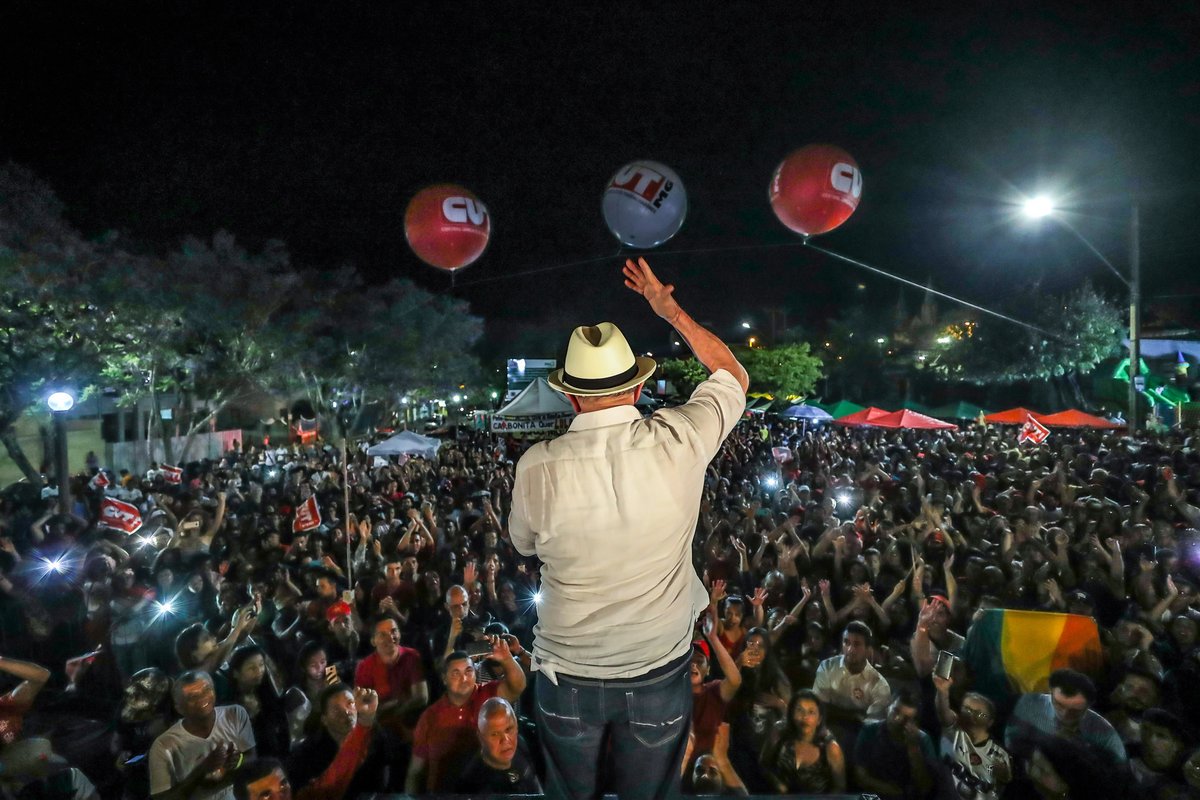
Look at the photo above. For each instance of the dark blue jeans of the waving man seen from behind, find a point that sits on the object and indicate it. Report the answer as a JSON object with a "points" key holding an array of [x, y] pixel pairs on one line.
{"points": [[646, 720]]}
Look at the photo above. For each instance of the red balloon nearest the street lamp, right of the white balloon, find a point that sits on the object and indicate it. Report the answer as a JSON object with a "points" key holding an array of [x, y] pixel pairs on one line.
{"points": [[815, 189]]}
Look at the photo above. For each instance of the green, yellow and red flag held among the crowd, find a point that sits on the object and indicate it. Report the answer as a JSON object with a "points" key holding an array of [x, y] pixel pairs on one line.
{"points": [[1015, 652]]}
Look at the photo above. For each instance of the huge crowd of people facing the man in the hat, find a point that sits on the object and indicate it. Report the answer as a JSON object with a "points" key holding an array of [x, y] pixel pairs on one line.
{"points": [[219, 652]]}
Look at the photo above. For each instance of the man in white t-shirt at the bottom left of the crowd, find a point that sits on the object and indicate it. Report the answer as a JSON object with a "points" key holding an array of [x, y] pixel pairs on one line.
{"points": [[197, 757]]}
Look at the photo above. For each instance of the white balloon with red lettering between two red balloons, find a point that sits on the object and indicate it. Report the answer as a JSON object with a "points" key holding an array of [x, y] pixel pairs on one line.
{"points": [[645, 204]]}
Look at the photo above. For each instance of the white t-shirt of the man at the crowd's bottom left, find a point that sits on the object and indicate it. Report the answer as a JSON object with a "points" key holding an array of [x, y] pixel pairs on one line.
{"points": [[176, 753]]}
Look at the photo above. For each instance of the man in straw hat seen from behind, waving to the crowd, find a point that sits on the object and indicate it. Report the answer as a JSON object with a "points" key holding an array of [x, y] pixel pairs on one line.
{"points": [[611, 509]]}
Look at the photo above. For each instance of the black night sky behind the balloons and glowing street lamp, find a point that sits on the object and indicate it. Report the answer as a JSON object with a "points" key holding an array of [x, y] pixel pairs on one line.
{"points": [[316, 123]]}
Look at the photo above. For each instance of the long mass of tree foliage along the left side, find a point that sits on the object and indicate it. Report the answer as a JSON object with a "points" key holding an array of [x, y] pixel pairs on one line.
{"points": [[212, 321]]}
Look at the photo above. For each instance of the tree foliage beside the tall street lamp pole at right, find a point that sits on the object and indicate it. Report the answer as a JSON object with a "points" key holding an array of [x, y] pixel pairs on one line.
{"points": [[1082, 329]]}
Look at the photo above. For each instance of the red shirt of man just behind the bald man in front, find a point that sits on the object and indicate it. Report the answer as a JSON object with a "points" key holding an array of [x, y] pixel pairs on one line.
{"points": [[446, 737]]}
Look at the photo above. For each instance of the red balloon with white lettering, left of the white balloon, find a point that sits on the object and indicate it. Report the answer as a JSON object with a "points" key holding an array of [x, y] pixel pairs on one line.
{"points": [[447, 226]]}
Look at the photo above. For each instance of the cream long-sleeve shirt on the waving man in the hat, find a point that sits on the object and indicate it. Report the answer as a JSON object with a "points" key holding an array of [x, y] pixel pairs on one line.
{"points": [[610, 508]]}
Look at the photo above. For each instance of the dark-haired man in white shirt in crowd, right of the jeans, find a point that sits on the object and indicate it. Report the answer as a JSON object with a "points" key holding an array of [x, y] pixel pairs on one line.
{"points": [[849, 685]]}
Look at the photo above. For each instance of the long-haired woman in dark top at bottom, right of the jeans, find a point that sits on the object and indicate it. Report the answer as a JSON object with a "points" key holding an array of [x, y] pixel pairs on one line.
{"points": [[806, 759]]}
